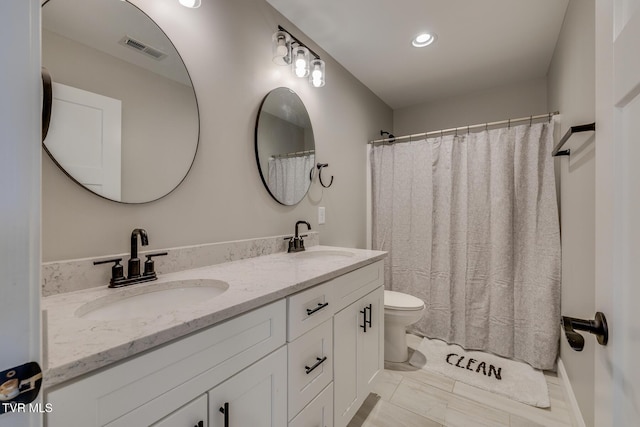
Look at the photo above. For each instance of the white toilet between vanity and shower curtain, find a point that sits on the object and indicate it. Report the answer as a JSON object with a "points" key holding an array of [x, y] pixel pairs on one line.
{"points": [[400, 311]]}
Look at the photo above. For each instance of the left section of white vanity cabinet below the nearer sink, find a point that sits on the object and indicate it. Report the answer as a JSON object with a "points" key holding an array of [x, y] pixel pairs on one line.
{"points": [[156, 386]]}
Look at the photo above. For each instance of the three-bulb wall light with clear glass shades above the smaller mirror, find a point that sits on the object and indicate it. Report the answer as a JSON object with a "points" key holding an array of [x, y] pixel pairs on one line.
{"points": [[288, 50]]}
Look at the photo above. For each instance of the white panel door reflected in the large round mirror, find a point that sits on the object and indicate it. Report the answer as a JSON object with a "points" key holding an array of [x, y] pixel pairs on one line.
{"points": [[85, 138]]}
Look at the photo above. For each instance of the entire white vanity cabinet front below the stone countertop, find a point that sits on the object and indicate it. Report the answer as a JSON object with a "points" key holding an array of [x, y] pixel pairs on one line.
{"points": [[303, 361]]}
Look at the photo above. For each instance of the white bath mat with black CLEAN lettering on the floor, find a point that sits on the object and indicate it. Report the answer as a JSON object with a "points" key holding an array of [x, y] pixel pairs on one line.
{"points": [[515, 380]]}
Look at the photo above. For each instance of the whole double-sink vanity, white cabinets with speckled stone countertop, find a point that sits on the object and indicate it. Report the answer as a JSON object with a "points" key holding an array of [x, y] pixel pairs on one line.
{"points": [[288, 339]]}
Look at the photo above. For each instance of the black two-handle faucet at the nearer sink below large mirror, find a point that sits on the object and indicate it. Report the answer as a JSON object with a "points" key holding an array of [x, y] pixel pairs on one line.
{"points": [[117, 273]]}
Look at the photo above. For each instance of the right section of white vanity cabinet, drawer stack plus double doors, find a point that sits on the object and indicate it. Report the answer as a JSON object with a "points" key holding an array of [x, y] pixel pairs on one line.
{"points": [[350, 337]]}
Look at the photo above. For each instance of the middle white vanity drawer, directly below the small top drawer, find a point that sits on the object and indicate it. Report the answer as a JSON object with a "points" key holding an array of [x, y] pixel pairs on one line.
{"points": [[310, 366]]}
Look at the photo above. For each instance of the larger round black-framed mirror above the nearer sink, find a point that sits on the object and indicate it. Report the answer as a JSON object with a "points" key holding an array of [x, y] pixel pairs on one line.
{"points": [[124, 122]]}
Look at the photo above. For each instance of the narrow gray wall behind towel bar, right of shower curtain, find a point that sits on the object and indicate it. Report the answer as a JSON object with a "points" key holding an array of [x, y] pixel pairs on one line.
{"points": [[571, 82]]}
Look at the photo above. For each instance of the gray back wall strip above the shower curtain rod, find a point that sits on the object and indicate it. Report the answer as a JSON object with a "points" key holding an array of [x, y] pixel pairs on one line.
{"points": [[500, 103]]}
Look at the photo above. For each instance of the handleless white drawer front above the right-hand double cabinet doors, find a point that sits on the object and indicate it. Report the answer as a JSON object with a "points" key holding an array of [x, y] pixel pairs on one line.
{"points": [[353, 286]]}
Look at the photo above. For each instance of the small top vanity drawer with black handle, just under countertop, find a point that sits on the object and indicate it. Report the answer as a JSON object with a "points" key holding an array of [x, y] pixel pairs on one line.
{"points": [[308, 309]]}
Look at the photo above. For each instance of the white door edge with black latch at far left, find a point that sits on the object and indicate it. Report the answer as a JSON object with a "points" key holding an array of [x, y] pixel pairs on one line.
{"points": [[20, 154]]}
